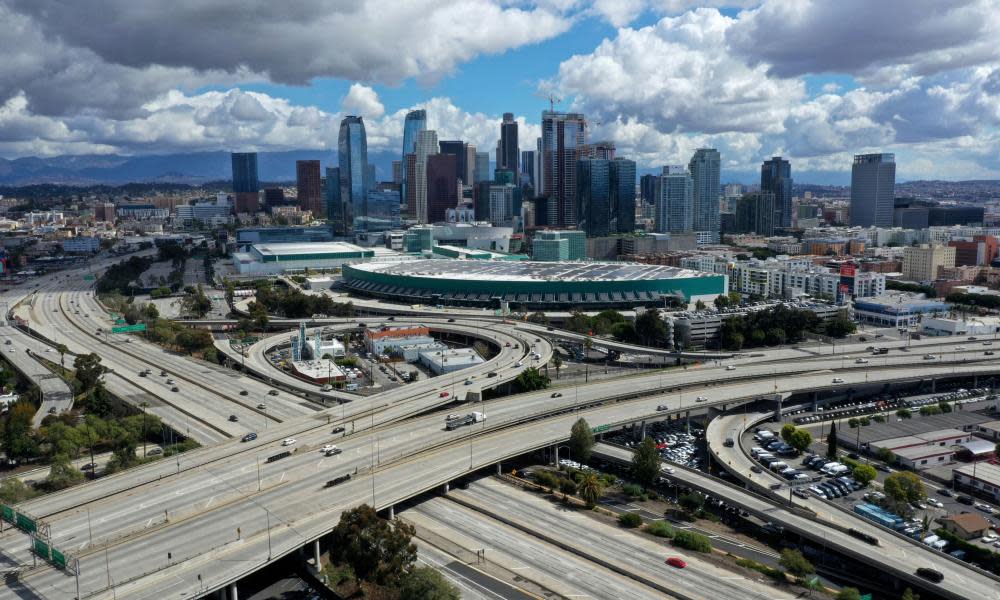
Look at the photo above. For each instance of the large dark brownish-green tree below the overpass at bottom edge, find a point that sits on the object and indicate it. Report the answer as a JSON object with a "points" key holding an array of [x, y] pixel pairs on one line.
{"points": [[379, 551]]}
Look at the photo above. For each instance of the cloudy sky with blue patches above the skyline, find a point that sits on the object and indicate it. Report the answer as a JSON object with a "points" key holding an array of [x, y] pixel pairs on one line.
{"points": [[814, 104]]}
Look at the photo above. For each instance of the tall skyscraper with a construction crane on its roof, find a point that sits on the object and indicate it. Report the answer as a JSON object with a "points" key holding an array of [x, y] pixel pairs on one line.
{"points": [[562, 136]]}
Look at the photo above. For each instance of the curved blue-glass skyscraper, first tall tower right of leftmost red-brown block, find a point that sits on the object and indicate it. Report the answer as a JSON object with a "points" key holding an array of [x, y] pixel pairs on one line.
{"points": [[352, 159]]}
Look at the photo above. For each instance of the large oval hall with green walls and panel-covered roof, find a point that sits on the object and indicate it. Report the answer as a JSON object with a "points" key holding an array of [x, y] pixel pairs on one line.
{"points": [[529, 285]]}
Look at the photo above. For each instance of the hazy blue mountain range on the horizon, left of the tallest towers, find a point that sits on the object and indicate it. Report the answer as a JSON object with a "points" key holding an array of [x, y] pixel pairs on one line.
{"points": [[191, 168]]}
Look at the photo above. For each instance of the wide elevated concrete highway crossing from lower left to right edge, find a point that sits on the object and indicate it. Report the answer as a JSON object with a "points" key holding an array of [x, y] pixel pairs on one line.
{"points": [[223, 514]]}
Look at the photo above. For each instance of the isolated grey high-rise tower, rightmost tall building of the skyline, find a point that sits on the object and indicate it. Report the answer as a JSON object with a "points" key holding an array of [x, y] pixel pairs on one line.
{"points": [[873, 185]]}
